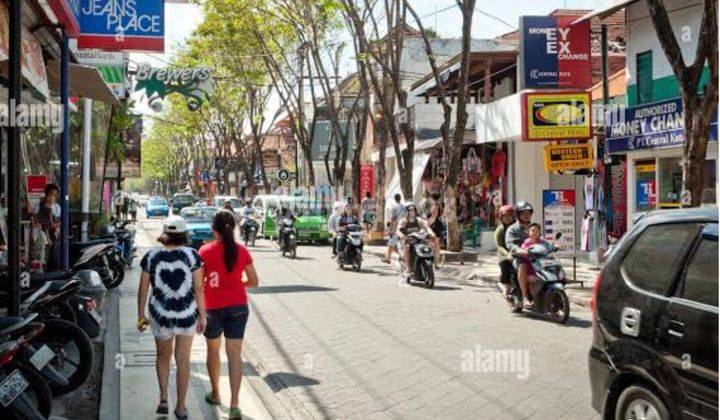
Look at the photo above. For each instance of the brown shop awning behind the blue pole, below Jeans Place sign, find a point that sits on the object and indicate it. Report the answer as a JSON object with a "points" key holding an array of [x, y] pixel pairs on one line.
{"points": [[85, 81]]}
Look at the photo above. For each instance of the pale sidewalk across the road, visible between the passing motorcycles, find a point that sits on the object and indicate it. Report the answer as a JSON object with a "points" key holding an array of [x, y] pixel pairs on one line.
{"points": [[482, 266]]}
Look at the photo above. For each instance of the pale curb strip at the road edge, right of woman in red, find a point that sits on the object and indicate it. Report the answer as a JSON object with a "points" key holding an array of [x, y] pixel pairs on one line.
{"points": [[263, 389]]}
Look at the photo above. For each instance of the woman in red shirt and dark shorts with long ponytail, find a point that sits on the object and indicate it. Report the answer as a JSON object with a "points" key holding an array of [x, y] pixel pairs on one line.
{"points": [[226, 304]]}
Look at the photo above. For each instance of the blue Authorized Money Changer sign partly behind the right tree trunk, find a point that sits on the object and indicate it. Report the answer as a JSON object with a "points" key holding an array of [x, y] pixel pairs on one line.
{"points": [[648, 126]]}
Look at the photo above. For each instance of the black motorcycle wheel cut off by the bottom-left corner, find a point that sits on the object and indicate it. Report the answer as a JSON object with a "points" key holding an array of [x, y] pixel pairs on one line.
{"points": [[36, 400]]}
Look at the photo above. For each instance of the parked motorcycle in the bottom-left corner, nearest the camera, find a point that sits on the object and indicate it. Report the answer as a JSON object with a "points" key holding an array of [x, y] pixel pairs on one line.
{"points": [[24, 393]]}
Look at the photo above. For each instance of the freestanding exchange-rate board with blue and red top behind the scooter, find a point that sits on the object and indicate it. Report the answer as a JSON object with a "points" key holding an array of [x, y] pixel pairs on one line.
{"points": [[559, 216]]}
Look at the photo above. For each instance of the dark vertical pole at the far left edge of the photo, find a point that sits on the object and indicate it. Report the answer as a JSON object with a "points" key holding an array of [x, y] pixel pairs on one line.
{"points": [[13, 159]]}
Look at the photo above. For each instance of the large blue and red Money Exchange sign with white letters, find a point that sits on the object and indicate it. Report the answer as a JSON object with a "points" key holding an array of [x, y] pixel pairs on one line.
{"points": [[554, 54]]}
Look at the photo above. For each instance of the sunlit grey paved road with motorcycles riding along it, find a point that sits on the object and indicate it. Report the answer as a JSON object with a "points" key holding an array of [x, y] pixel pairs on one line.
{"points": [[348, 345]]}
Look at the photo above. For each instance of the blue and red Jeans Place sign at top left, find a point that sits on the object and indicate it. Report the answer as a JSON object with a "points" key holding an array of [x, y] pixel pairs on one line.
{"points": [[123, 25]]}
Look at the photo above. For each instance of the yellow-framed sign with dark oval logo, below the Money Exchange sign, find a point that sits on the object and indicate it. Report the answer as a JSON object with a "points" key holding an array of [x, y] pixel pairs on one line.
{"points": [[556, 116]]}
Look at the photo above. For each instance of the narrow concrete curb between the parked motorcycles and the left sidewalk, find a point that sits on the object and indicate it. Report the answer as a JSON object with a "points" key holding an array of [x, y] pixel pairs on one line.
{"points": [[110, 389]]}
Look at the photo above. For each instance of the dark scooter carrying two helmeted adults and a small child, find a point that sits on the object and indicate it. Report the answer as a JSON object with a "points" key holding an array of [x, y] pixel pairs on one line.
{"points": [[547, 285]]}
